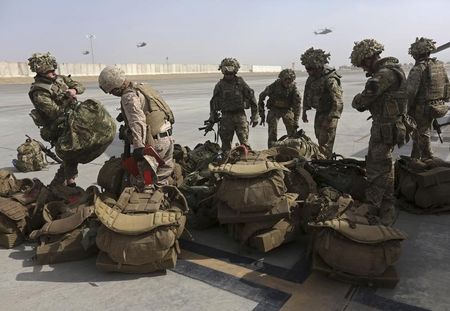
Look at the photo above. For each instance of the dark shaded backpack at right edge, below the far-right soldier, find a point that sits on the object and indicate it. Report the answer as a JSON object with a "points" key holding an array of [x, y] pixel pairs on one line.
{"points": [[424, 185]]}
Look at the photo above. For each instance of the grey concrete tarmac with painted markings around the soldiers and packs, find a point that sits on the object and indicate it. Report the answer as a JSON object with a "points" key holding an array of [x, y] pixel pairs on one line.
{"points": [[214, 272]]}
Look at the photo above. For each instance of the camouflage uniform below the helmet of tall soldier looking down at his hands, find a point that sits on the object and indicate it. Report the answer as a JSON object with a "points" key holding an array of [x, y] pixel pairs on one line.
{"points": [[384, 93]]}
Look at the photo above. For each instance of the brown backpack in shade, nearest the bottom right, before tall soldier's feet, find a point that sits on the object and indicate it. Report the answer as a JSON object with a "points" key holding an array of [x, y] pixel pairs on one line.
{"points": [[357, 249]]}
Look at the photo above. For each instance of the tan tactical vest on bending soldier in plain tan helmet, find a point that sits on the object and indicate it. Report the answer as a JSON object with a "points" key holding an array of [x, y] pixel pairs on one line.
{"points": [[157, 110]]}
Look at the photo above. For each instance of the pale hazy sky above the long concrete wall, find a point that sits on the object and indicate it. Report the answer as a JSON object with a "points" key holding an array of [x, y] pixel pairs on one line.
{"points": [[205, 31]]}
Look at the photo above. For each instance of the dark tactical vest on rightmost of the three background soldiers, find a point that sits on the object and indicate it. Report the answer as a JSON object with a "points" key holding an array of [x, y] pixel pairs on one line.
{"points": [[317, 95]]}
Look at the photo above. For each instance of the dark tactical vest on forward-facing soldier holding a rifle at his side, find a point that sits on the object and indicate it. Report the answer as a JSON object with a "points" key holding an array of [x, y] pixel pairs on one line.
{"points": [[232, 95]]}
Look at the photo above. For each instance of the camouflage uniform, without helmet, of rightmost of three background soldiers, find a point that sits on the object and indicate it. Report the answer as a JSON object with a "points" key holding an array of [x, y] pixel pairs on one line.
{"points": [[324, 93]]}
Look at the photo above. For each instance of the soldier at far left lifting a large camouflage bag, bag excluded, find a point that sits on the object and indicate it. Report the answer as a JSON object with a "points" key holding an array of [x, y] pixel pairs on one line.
{"points": [[51, 95]]}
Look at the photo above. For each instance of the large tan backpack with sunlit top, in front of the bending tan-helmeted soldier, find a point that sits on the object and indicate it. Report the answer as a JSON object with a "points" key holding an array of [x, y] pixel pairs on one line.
{"points": [[140, 229]]}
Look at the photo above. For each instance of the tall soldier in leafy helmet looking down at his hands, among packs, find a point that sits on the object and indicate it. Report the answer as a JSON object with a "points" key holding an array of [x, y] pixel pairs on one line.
{"points": [[385, 97]]}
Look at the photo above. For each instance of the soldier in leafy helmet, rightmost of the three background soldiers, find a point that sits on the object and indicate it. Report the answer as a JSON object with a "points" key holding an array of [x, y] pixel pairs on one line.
{"points": [[323, 92]]}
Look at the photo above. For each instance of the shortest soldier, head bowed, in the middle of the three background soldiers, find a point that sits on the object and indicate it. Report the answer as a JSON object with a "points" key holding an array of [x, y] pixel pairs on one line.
{"points": [[284, 102]]}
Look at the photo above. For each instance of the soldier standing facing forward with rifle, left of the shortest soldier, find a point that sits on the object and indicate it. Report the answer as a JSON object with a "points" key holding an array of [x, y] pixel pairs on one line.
{"points": [[230, 97]]}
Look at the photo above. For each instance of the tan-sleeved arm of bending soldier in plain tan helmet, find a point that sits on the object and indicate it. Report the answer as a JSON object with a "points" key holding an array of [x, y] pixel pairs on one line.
{"points": [[136, 118]]}
